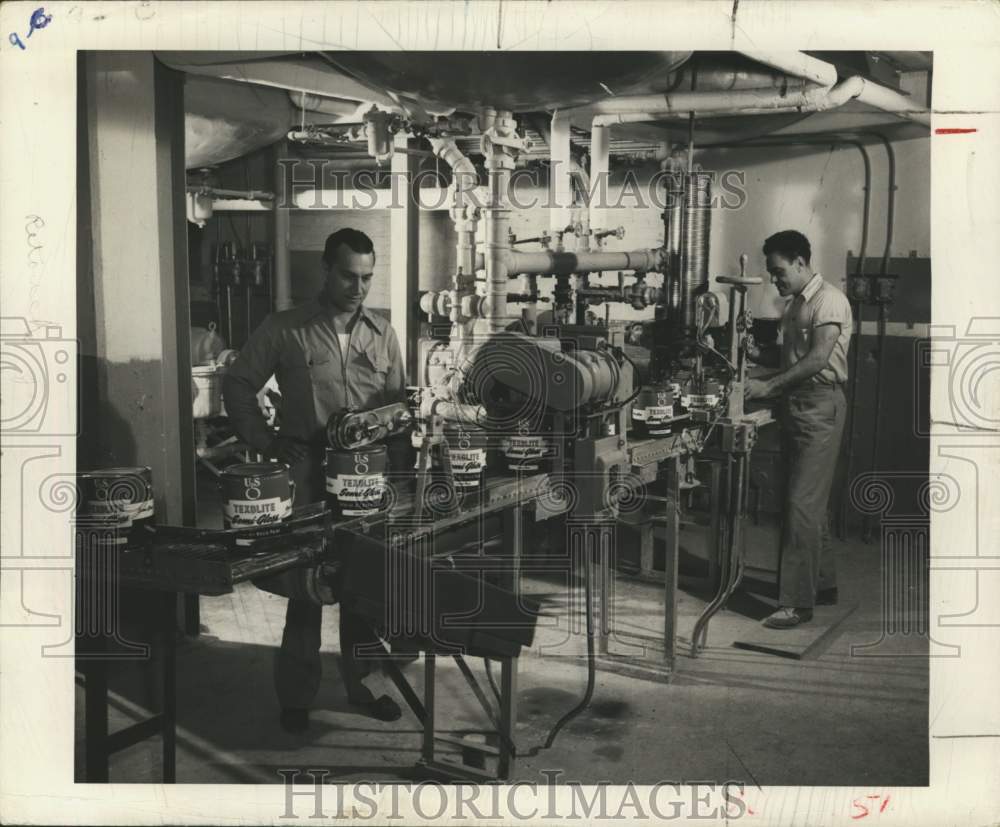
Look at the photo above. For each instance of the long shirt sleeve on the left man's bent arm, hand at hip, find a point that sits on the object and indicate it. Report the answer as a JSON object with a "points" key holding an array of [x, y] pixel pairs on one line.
{"points": [[256, 363]]}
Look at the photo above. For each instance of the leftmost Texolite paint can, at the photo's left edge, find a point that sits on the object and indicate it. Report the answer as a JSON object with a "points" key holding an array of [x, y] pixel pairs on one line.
{"points": [[118, 504]]}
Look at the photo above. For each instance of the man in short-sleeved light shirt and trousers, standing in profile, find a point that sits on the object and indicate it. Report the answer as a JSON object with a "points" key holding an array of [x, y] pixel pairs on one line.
{"points": [[816, 333]]}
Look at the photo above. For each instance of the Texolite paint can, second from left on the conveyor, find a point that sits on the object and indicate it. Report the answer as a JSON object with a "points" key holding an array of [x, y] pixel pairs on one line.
{"points": [[256, 498]]}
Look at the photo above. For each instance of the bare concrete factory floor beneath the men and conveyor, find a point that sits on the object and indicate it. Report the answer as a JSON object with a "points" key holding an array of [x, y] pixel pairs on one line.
{"points": [[729, 715]]}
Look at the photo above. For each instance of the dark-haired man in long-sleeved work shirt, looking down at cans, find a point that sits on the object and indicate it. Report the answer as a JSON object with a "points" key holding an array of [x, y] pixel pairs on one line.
{"points": [[330, 355]]}
